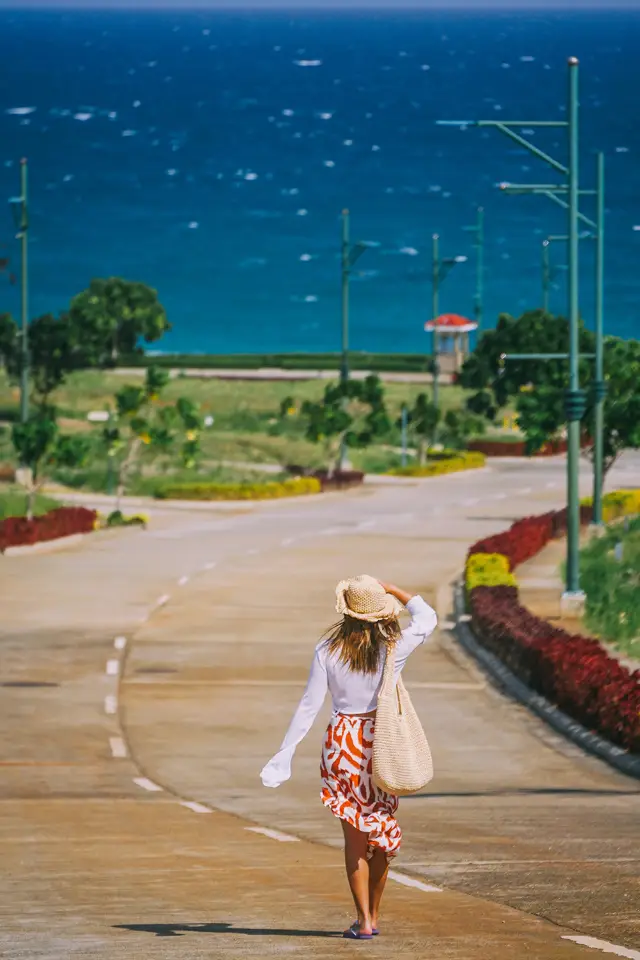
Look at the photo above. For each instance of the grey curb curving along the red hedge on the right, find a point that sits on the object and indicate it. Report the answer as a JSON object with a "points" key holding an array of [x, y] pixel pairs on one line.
{"points": [[593, 743]]}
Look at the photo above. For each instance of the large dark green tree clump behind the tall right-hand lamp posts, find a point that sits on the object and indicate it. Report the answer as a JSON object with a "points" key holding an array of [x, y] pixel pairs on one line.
{"points": [[538, 387]]}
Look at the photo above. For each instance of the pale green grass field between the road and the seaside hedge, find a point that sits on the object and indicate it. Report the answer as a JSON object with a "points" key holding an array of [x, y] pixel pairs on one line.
{"points": [[246, 428]]}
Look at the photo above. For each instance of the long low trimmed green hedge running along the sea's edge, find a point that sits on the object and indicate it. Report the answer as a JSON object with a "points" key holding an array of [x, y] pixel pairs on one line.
{"points": [[389, 362]]}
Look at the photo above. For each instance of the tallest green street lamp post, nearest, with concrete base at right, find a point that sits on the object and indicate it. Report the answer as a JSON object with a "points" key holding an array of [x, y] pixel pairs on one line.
{"points": [[575, 397]]}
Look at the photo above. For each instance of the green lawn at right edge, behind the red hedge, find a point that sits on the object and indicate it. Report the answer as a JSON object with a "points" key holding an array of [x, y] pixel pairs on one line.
{"points": [[612, 586]]}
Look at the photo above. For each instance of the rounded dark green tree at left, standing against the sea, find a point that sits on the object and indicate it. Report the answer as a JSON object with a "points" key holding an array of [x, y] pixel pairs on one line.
{"points": [[112, 315]]}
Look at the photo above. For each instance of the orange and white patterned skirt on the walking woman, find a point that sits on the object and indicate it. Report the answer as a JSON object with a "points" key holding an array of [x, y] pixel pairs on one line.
{"points": [[348, 789]]}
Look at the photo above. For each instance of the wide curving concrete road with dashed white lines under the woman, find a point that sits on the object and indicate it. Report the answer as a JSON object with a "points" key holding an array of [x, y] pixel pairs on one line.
{"points": [[531, 841]]}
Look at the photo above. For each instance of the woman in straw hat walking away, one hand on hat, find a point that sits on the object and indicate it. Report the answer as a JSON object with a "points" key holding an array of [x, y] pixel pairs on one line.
{"points": [[349, 663]]}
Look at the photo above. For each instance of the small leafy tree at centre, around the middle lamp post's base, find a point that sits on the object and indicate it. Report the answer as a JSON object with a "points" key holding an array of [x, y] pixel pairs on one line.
{"points": [[353, 412]]}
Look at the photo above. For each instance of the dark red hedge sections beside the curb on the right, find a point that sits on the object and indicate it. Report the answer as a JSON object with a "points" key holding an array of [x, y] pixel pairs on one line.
{"points": [[571, 671]]}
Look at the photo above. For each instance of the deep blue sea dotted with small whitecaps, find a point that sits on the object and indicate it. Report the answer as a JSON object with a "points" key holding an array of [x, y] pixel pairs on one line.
{"points": [[210, 154]]}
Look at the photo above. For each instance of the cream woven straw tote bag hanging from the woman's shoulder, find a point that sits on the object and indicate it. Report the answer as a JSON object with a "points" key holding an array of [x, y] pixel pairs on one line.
{"points": [[402, 761]]}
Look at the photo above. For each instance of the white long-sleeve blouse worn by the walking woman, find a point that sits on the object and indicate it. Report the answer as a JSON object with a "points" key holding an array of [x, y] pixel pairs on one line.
{"points": [[351, 692]]}
